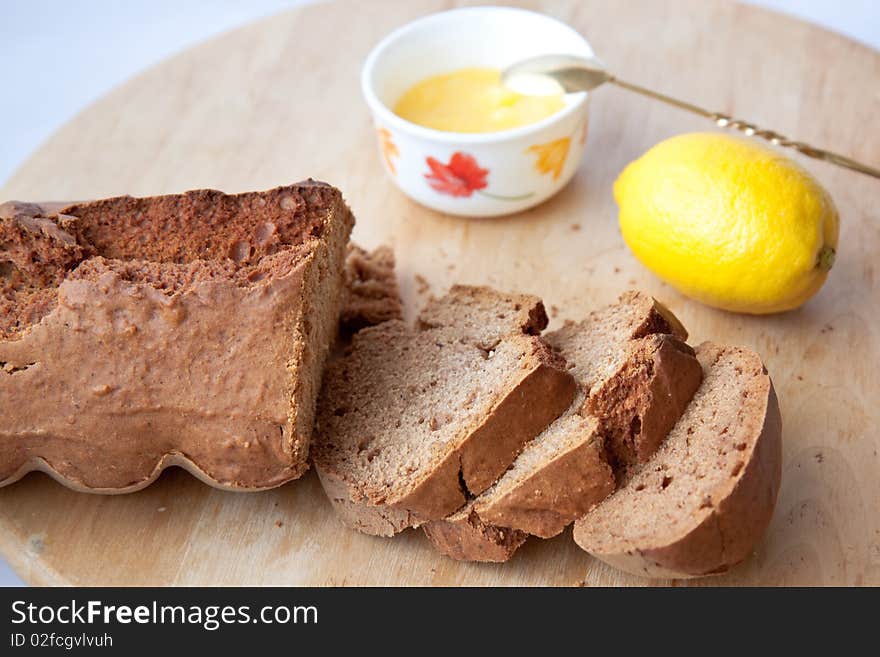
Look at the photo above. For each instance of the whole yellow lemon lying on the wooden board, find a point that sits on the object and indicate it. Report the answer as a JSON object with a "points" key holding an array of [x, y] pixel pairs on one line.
{"points": [[729, 222]]}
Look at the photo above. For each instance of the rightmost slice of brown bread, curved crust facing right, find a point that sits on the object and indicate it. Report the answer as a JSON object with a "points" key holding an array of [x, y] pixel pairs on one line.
{"points": [[703, 501]]}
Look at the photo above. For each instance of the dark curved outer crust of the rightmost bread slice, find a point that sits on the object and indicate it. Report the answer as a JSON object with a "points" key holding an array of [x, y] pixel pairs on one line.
{"points": [[727, 535]]}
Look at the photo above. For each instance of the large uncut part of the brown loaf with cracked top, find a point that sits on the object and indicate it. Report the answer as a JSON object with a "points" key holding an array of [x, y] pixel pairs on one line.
{"points": [[190, 329]]}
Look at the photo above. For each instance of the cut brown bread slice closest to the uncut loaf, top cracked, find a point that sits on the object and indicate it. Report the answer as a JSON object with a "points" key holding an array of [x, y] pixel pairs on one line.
{"points": [[414, 421]]}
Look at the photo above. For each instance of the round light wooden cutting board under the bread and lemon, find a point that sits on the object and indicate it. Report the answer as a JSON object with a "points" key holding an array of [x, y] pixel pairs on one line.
{"points": [[279, 100]]}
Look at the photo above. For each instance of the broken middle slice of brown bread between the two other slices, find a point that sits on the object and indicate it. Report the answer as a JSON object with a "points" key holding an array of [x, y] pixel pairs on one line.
{"points": [[636, 375]]}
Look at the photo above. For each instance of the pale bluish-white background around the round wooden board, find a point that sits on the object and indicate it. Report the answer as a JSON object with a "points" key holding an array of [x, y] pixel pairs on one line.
{"points": [[57, 56]]}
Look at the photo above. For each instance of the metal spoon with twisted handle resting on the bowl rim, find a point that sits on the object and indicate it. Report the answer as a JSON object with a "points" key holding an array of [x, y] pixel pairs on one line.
{"points": [[552, 74]]}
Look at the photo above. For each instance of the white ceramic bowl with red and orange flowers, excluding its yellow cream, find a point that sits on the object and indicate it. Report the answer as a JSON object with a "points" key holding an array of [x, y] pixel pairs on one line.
{"points": [[483, 174]]}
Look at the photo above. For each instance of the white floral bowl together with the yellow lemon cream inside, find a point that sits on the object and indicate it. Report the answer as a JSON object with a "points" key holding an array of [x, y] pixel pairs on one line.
{"points": [[450, 135]]}
